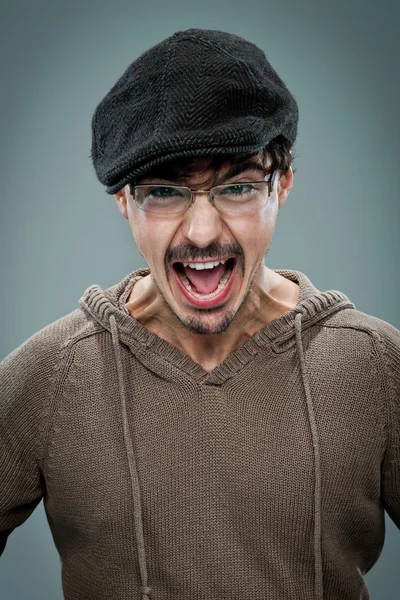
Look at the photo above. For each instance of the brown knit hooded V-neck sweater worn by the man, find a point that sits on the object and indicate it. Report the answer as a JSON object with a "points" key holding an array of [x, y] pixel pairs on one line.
{"points": [[265, 479]]}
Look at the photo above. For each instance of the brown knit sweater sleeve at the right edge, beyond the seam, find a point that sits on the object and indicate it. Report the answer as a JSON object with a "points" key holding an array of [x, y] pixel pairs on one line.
{"points": [[390, 488]]}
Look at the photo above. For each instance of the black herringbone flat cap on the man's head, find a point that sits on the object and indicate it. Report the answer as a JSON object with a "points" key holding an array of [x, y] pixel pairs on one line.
{"points": [[197, 93]]}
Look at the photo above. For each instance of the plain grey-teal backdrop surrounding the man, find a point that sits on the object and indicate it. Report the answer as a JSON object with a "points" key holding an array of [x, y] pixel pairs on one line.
{"points": [[60, 232]]}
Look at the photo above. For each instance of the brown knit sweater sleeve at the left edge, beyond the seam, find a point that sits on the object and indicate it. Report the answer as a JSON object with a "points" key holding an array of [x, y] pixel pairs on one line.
{"points": [[27, 377]]}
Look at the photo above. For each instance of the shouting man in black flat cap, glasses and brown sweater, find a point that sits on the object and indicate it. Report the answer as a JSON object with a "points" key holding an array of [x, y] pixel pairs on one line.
{"points": [[208, 428]]}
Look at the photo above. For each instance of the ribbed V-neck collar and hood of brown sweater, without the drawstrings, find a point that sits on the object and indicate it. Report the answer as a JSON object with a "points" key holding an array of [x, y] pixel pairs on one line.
{"points": [[278, 334]]}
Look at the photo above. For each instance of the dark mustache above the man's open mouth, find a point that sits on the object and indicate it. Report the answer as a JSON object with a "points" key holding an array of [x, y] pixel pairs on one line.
{"points": [[183, 252]]}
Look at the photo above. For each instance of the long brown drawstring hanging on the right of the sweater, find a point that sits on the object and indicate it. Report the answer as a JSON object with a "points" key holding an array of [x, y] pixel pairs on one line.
{"points": [[317, 495]]}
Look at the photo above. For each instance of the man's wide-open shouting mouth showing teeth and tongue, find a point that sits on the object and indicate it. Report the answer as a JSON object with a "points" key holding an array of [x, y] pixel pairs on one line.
{"points": [[205, 280]]}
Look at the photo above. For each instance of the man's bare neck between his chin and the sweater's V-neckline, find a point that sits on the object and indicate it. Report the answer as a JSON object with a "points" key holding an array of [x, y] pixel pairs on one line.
{"points": [[274, 296]]}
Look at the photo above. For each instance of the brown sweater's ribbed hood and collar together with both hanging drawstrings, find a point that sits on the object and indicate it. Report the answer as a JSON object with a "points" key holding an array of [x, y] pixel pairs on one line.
{"points": [[106, 308]]}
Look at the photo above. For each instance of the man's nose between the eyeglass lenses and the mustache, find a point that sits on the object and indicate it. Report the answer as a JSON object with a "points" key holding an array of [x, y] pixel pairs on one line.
{"points": [[202, 223]]}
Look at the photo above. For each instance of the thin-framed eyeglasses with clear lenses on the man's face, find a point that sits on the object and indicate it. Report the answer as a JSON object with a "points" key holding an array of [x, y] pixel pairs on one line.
{"points": [[240, 197]]}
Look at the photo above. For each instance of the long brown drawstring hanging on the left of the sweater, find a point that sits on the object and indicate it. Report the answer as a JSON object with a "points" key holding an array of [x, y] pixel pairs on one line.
{"points": [[146, 590]]}
